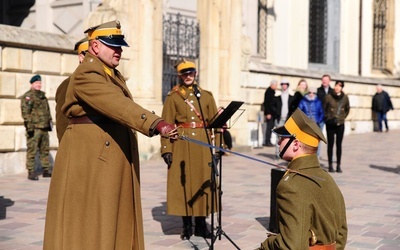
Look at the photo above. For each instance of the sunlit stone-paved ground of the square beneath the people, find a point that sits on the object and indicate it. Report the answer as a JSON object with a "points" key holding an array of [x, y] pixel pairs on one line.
{"points": [[370, 183]]}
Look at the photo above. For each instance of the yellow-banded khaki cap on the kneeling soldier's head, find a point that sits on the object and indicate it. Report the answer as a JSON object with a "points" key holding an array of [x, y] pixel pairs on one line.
{"points": [[302, 128]]}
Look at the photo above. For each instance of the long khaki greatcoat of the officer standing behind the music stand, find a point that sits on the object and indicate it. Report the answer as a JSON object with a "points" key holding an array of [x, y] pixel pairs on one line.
{"points": [[189, 173]]}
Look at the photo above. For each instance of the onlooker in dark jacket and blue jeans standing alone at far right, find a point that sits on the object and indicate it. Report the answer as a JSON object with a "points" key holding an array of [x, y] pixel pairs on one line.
{"points": [[381, 104]]}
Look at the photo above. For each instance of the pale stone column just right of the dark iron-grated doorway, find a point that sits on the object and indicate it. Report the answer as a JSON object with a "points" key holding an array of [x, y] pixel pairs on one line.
{"points": [[220, 55]]}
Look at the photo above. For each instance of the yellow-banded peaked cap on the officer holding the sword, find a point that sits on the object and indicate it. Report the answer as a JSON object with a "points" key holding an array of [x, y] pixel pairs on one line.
{"points": [[108, 33]]}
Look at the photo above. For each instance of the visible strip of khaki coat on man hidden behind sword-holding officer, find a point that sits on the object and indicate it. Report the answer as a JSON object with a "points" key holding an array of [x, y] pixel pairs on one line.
{"points": [[61, 120]]}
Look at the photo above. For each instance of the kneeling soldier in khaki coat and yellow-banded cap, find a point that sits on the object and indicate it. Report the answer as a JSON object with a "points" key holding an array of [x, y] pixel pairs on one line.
{"points": [[310, 206]]}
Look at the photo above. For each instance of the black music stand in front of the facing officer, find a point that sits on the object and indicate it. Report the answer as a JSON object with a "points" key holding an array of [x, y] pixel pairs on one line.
{"points": [[220, 121]]}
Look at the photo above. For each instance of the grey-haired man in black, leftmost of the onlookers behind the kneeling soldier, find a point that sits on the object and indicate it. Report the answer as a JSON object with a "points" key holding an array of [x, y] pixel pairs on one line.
{"points": [[269, 96]]}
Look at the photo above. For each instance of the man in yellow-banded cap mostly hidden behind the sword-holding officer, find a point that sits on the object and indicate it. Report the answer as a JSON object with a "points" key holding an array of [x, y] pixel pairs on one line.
{"points": [[61, 120]]}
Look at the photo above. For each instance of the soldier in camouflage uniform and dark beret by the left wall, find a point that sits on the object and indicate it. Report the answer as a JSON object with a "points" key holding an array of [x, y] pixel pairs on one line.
{"points": [[37, 120]]}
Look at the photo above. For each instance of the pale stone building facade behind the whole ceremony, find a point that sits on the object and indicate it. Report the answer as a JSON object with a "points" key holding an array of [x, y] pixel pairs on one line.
{"points": [[244, 44]]}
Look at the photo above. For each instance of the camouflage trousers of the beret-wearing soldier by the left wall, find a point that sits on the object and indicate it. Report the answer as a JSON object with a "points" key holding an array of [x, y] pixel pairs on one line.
{"points": [[39, 140]]}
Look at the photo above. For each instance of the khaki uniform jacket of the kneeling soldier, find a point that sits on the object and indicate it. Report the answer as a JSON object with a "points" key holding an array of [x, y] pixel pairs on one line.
{"points": [[308, 202]]}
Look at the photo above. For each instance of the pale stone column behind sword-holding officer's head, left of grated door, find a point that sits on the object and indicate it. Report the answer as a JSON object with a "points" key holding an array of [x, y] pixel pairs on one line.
{"points": [[141, 22]]}
